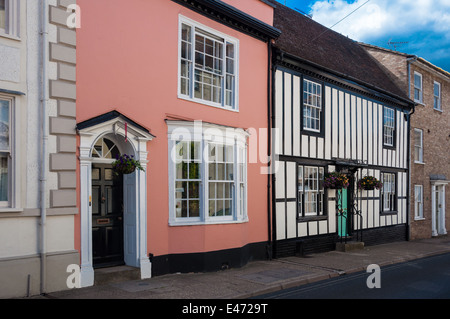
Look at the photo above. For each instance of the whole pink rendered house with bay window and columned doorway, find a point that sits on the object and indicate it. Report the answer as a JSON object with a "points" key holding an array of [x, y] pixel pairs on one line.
{"points": [[183, 88]]}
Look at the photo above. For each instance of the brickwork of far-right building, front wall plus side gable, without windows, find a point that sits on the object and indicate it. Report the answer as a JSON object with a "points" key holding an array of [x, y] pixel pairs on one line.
{"points": [[436, 131]]}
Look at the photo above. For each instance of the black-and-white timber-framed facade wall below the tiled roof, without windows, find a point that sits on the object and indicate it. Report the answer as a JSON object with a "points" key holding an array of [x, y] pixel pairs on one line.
{"points": [[351, 137]]}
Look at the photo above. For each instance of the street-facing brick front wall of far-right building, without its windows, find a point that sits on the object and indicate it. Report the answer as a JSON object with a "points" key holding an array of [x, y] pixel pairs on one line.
{"points": [[435, 126]]}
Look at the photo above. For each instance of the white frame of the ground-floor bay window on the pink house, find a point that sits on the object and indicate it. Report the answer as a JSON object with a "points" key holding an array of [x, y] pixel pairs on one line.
{"points": [[205, 135]]}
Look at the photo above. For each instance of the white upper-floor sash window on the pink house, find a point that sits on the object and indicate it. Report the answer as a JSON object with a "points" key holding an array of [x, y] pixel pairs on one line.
{"points": [[208, 66]]}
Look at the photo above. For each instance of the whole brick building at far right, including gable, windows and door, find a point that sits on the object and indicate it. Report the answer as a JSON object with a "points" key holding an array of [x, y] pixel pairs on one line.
{"points": [[428, 86]]}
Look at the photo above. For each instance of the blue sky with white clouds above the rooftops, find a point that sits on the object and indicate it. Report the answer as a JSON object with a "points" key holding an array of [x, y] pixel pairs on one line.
{"points": [[418, 27]]}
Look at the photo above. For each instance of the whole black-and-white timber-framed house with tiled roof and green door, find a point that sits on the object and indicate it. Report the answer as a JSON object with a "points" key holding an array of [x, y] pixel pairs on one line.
{"points": [[334, 110]]}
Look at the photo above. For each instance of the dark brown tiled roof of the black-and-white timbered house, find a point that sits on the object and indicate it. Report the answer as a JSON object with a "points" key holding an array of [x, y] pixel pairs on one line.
{"points": [[312, 42]]}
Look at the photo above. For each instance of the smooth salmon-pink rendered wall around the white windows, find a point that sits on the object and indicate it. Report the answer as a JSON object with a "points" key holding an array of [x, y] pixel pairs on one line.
{"points": [[127, 60]]}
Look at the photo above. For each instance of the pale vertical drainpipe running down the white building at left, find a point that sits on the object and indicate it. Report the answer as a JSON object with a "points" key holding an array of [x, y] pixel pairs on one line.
{"points": [[44, 137]]}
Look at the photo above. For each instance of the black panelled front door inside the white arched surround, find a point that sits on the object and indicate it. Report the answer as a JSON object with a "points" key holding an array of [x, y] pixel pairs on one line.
{"points": [[107, 216]]}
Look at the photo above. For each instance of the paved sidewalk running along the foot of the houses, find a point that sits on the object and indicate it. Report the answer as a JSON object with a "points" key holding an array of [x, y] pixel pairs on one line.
{"points": [[261, 277]]}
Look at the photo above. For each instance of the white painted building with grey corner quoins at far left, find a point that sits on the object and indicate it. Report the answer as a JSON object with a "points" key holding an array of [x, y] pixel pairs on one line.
{"points": [[38, 147]]}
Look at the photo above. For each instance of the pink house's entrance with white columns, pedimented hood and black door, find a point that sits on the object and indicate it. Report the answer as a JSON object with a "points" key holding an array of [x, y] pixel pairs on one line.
{"points": [[121, 205]]}
